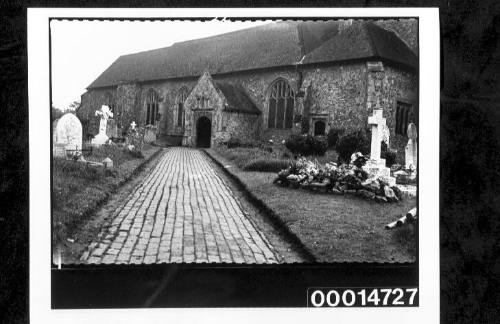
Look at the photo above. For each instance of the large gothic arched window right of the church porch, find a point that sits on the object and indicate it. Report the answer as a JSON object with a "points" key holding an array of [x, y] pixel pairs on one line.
{"points": [[281, 103]]}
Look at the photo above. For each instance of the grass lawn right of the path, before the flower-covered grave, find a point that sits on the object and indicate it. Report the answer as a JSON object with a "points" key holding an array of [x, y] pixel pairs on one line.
{"points": [[334, 228]]}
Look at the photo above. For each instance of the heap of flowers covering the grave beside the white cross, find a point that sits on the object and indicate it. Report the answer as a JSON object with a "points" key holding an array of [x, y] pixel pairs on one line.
{"points": [[338, 179]]}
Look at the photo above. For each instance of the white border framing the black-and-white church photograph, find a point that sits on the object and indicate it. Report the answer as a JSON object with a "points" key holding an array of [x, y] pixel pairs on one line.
{"points": [[39, 137]]}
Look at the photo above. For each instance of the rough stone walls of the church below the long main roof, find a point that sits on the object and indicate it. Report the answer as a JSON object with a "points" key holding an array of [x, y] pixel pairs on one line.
{"points": [[342, 95]]}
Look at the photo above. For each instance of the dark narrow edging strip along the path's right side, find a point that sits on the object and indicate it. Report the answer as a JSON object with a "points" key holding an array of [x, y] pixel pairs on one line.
{"points": [[303, 250]]}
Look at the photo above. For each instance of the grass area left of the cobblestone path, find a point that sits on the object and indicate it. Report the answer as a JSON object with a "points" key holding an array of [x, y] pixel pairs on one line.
{"points": [[78, 189]]}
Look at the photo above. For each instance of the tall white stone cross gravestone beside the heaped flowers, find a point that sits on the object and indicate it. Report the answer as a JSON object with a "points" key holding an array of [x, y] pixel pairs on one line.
{"points": [[375, 167]]}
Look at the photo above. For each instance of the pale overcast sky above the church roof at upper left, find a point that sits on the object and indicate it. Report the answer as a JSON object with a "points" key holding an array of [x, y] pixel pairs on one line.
{"points": [[82, 50]]}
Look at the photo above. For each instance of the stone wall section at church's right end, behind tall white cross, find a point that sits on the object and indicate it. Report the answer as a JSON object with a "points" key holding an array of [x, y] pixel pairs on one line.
{"points": [[347, 95]]}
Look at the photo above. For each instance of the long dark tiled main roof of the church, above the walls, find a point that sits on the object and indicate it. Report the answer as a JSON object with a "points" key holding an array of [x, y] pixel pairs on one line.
{"points": [[270, 45]]}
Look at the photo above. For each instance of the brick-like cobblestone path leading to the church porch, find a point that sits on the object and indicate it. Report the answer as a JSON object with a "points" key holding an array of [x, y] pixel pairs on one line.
{"points": [[181, 212]]}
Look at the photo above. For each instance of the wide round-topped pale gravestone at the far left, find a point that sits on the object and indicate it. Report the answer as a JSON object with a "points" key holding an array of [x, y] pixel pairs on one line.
{"points": [[66, 135]]}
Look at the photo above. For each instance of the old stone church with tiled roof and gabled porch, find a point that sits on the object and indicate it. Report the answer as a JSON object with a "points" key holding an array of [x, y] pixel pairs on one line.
{"points": [[265, 82]]}
